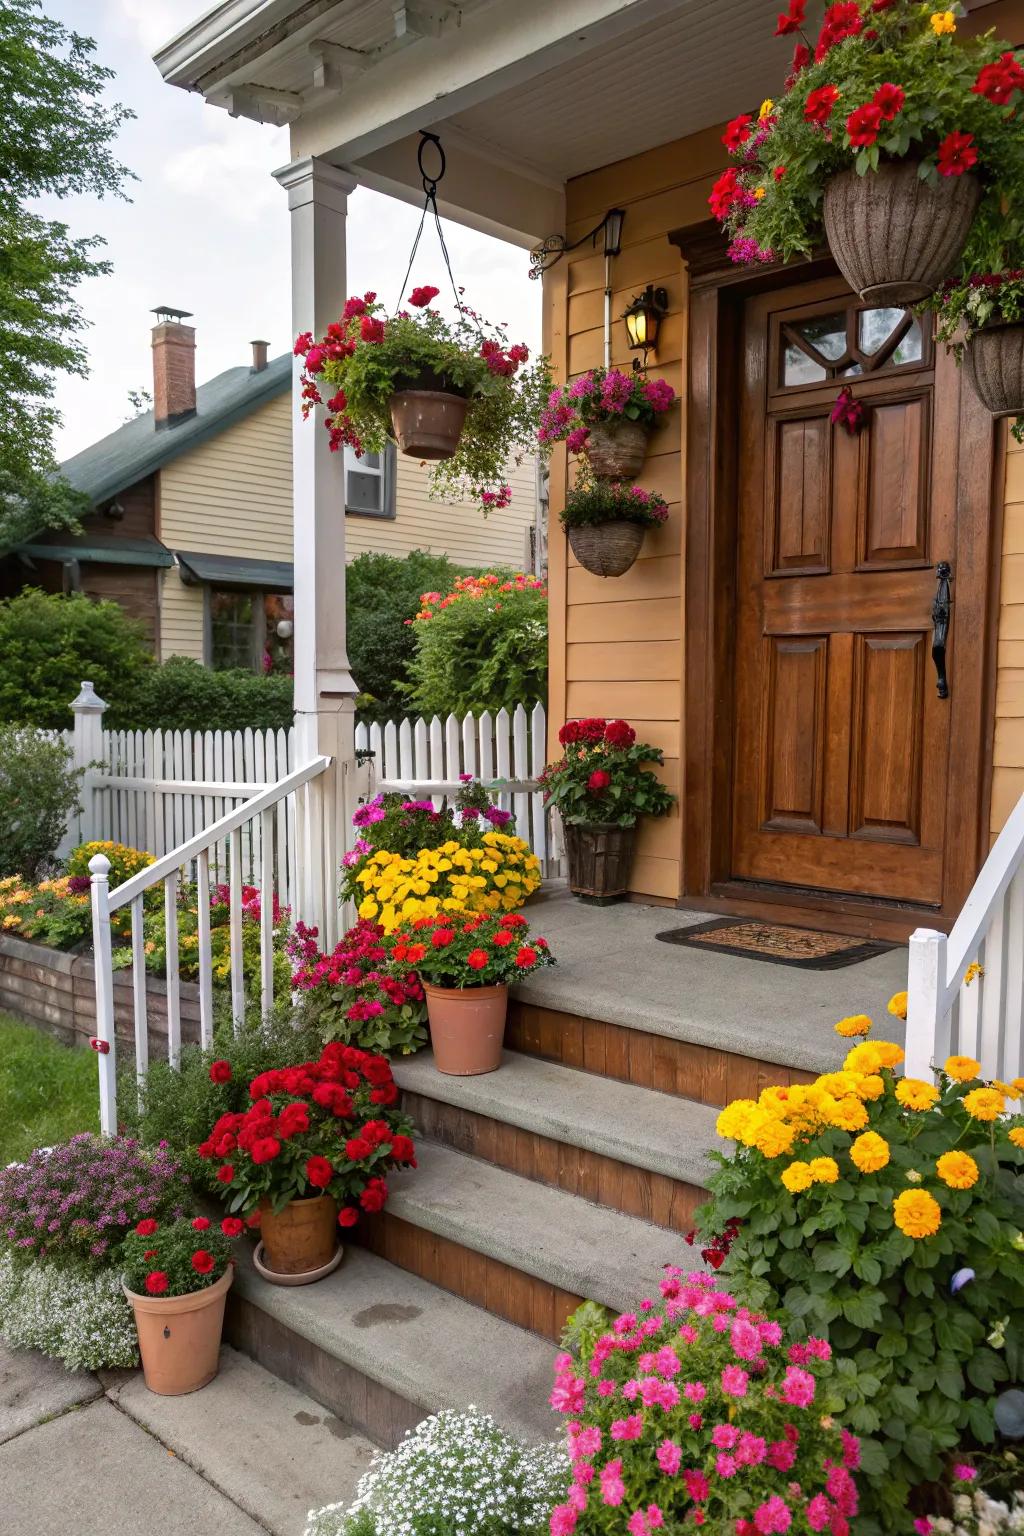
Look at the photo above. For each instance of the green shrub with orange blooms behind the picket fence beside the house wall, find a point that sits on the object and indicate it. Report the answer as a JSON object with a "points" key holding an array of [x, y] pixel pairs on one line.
{"points": [[481, 647]]}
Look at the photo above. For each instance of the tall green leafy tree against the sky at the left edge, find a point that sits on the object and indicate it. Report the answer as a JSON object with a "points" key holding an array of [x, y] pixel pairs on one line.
{"points": [[56, 141]]}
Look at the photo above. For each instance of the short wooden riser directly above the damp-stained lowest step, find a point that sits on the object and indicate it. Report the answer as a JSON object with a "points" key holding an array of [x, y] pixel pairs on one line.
{"points": [[486, 1282]]}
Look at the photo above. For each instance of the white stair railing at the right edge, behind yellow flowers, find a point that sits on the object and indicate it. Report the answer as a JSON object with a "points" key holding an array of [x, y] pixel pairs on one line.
{"points": [[983, 1018]]}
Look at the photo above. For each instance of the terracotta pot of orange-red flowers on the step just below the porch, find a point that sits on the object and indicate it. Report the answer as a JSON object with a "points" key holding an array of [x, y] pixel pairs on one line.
{"points": [[466, 964]]}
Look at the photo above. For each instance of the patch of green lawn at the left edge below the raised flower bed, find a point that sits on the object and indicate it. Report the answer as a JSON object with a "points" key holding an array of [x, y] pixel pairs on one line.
{"points": [[48, 1091]]}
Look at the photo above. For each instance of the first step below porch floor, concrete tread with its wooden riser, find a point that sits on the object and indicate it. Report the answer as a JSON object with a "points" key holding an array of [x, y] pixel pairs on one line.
{"points": [[630, 1148]]}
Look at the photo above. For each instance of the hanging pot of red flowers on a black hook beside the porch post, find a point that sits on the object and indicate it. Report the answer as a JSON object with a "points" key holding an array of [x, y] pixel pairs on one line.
{"points": [[454, 391]]}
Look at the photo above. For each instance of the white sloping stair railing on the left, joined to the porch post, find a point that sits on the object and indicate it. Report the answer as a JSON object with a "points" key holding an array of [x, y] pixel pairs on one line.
{"points": [[308, 795]]}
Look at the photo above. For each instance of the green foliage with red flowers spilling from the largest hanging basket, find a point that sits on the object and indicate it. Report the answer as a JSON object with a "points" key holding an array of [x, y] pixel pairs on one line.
{"points": [[937, 74]]}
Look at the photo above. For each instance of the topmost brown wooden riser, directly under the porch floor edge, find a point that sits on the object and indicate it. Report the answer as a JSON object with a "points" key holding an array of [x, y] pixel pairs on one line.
{"points": [[632, 1056]]}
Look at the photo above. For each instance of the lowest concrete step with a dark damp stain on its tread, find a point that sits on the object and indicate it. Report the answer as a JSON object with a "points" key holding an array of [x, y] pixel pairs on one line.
{"points": [[382, 1349]]}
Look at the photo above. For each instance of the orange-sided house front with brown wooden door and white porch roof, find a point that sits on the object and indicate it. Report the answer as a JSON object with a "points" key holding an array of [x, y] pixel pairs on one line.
{"points": [[776, 635]]}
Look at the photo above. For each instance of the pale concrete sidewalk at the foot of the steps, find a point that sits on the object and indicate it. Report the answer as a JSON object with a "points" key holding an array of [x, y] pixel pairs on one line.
{"points": [[248, 1455]]}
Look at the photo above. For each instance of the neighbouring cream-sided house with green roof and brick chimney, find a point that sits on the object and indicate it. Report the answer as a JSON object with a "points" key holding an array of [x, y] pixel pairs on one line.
{"points": [[191, 529]]}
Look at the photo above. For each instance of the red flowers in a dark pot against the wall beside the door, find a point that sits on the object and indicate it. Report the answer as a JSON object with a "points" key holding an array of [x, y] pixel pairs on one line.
{"points": [[601, 787]]}
